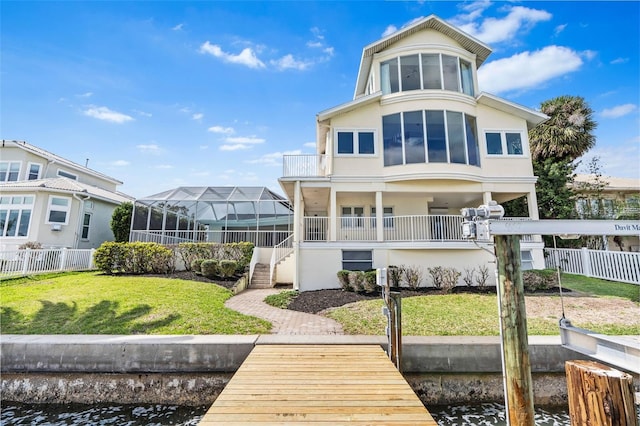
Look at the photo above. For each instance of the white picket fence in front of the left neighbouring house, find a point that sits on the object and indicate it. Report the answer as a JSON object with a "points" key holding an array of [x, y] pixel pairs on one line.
{"points": [[30, 261]]}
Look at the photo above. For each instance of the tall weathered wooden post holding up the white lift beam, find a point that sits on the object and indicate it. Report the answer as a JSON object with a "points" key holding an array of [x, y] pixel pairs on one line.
{"points": [[513, 322]]}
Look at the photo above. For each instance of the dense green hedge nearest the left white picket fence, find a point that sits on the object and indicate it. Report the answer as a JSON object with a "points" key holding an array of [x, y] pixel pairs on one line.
{"points": [[134, 258]]}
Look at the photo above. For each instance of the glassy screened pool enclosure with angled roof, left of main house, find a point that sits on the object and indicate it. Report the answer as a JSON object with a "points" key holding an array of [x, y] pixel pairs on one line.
{"points": [[212, 214]]}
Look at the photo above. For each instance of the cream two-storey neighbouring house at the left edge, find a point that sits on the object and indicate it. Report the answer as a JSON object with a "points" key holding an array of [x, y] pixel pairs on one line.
{"points": [[54, 201]]}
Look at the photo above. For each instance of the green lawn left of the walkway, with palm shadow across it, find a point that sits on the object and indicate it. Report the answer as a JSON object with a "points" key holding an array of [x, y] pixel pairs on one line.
{"points": [[92, 303]]}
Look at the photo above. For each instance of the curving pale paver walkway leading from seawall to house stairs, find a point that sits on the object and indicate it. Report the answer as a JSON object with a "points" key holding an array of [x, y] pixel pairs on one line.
{"points": [[250, 302]]}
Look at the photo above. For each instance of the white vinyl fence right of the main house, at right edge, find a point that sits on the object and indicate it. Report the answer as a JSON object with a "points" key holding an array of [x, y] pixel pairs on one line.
{"points": [[608, 265]]}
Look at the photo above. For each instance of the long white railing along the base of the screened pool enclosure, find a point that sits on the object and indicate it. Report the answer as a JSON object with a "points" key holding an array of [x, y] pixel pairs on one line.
{"points": [[258, 238]]}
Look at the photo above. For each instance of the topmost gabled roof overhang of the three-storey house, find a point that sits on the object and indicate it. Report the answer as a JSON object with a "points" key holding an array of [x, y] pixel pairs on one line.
{"points": [[473, 45]]}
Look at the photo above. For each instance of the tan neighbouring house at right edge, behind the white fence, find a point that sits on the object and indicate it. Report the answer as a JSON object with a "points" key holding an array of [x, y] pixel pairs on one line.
{"points": [[600, 197]]}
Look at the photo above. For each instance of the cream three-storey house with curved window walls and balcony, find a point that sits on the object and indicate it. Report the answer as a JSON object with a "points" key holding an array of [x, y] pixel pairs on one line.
{"points": [[394, 166]]}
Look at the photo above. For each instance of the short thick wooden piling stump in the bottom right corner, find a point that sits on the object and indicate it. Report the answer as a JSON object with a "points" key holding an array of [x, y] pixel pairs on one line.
{"points": [[599, 395]]}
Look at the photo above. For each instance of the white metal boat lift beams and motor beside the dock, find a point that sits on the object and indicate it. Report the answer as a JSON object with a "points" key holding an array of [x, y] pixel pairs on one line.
{"points": [[484, 222]]}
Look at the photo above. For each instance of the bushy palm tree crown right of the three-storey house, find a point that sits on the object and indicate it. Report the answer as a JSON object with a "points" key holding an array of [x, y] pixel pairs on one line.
{"points": [[568, 134]]}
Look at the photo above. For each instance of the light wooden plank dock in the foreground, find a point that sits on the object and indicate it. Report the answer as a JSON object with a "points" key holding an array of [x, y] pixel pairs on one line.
{"points": [[318, 384]]}
